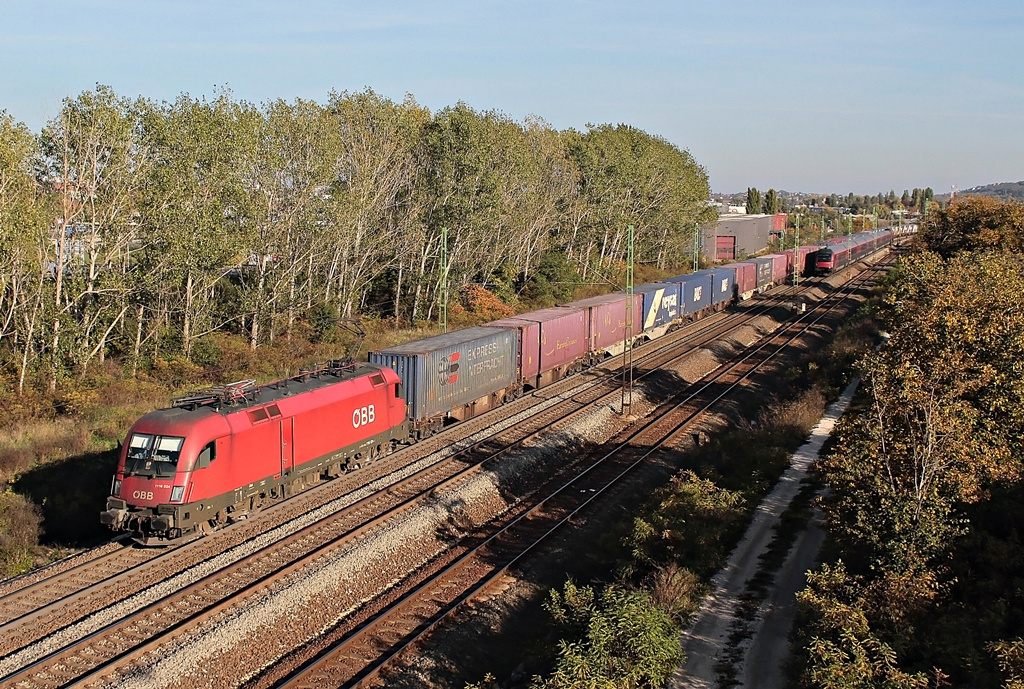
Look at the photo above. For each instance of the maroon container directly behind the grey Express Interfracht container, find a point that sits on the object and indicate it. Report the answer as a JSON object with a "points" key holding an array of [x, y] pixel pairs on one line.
{"points": [[552, 343]]}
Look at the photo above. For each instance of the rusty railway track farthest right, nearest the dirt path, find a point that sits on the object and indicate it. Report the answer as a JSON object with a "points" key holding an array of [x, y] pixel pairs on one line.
{"points": [[358, 658]]}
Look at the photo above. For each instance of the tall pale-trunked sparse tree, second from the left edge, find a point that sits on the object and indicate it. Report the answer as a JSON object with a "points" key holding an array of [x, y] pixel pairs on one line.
{"points": [[95, 165]]}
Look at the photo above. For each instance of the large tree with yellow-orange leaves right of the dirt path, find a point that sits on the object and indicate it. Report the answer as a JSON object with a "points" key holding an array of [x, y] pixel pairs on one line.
{"points": [[947, 409]]}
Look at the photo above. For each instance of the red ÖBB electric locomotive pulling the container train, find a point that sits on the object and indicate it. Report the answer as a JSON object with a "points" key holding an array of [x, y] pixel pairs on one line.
{"points": [[223, 453]]}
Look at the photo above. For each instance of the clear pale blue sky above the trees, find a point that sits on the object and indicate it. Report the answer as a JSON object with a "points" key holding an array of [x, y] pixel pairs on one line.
{"points": [[814, 97]]}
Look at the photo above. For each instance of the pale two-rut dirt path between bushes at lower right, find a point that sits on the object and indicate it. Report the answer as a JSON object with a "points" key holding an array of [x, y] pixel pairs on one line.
{"points": [[760, 656]]}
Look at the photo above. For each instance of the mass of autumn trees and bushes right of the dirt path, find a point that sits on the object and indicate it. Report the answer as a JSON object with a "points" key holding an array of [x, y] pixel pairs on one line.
{"points": [[925, 486]]}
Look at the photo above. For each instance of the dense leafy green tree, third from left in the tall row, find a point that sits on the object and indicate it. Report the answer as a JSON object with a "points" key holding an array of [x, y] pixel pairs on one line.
{"points": [[194, 209]]}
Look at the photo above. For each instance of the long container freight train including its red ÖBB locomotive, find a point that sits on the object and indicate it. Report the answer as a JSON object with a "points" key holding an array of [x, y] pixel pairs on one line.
{"points": [[220, 455]]}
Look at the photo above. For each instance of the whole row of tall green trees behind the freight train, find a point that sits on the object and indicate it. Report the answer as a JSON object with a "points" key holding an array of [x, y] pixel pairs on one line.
{"points": [[137, 229]]}
